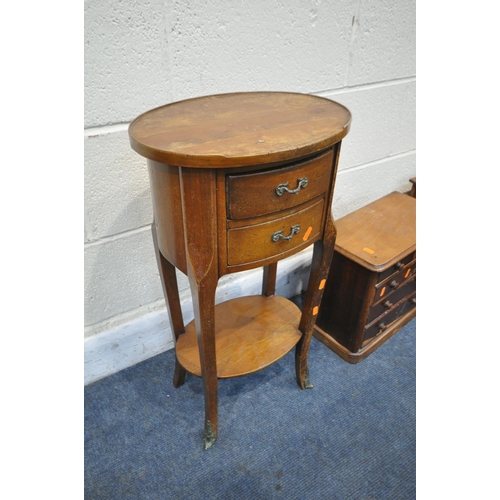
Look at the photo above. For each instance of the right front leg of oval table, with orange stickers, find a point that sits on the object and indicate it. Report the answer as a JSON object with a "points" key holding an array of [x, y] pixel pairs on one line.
{"points": [[322, 257]]}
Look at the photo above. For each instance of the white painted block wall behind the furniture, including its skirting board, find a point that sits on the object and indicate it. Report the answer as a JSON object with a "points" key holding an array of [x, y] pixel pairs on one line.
{"points": [[146, 53]]}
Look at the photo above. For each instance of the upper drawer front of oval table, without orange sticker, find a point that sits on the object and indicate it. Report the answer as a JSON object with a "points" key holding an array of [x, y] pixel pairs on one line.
{"points": [[262, 193]]}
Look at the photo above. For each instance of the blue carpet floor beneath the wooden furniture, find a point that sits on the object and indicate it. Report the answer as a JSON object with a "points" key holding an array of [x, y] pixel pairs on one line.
{"points": [[350, 437]]}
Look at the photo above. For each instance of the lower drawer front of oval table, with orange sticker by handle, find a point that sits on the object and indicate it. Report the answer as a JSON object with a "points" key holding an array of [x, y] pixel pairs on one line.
{"points": [[279, 236]]}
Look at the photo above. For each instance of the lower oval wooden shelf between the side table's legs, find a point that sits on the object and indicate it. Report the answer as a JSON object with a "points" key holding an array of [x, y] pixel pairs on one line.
{"points": [[251, 333]]}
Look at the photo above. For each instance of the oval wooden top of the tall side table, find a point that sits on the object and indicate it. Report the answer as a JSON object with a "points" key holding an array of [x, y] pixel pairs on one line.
{"points": [[239, 129]]}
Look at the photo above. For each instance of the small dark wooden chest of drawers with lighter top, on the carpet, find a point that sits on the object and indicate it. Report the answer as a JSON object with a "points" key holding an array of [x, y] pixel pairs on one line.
{"points": [[371, 288]]}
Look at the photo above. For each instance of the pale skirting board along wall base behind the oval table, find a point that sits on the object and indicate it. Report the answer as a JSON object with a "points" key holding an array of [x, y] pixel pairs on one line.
{"points": [[113, 350]]}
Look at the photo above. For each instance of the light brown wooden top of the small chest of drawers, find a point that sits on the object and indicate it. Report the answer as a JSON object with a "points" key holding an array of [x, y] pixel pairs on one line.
{"points": [[378, 234]]}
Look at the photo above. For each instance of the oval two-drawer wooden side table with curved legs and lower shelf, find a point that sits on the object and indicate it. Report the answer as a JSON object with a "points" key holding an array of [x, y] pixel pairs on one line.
{"points": [[241, 181]]}
